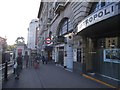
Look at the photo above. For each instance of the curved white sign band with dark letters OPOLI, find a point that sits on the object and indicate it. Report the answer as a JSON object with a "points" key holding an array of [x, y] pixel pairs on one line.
{"points": [[102, 14]]}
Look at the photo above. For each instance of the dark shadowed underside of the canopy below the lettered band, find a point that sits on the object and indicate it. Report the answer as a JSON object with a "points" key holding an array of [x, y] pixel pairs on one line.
{"points": [[105, 28]]}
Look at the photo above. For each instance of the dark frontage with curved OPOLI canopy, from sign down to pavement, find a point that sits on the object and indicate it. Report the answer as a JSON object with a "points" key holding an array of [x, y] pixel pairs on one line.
{"points": [[101, 34]]}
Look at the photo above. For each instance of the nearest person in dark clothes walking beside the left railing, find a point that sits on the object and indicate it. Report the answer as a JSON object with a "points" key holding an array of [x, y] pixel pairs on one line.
{"points": [[19, 65]]}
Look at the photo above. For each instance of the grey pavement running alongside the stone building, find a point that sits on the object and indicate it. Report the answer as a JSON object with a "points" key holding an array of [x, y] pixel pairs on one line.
{"points": [[50, 76]]}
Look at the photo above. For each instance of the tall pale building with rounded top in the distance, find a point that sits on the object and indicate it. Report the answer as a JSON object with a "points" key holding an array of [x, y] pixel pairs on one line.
{"points": [[32, 38]]}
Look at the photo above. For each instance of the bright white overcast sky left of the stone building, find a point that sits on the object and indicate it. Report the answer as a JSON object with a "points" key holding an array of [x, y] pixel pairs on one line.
{"points": [[15, 16]]}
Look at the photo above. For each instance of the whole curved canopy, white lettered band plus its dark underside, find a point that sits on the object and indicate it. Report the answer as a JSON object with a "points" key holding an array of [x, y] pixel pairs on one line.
{"points": [[102, 23]]}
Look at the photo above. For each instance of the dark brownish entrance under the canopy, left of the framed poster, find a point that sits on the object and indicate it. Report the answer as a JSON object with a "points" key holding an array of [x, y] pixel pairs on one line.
{"points": [[93, 59]]}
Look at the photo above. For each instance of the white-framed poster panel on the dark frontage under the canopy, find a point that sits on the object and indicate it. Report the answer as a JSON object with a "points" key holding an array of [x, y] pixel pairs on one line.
{"points": [[112, 55]]}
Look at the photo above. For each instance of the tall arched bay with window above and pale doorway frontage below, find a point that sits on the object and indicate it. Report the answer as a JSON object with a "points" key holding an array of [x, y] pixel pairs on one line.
{"points": [[64, 44]]}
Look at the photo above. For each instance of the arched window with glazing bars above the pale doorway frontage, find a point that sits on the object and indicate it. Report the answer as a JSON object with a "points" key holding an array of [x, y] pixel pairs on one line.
{"points": [[65, 27]]}
